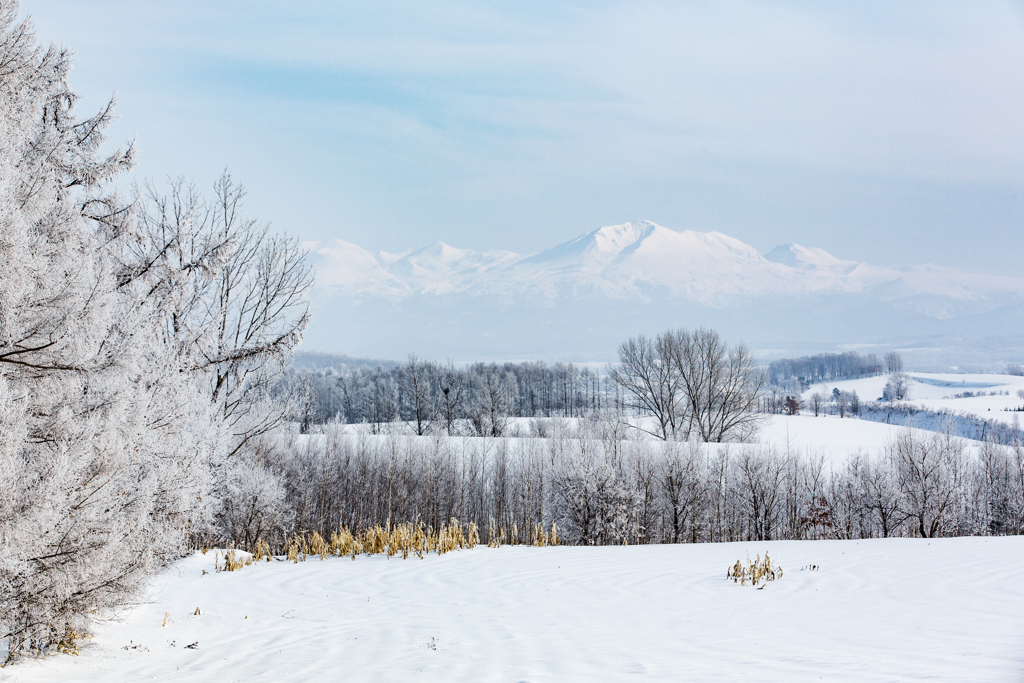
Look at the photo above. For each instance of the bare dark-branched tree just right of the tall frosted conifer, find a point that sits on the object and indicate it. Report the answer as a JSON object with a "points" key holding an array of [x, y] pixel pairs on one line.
{"points": [[233, 294]]}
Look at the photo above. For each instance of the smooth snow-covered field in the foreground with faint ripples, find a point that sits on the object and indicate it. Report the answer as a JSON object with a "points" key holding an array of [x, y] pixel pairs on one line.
{"points": [[899, 610]]}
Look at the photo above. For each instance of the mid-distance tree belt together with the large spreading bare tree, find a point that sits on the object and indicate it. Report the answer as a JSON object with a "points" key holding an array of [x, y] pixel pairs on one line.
{"points": [[692, 382]]}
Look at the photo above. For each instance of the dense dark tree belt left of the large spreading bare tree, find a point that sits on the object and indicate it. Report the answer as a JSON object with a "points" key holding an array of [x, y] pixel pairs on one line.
{"points": [[478, 400]]}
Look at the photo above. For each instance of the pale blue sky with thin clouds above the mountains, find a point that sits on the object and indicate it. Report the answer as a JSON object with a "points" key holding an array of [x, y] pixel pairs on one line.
{"points": [[887, 132]]}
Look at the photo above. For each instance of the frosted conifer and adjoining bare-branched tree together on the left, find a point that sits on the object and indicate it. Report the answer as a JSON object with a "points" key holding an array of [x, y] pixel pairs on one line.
{"points": [[138, 339]]}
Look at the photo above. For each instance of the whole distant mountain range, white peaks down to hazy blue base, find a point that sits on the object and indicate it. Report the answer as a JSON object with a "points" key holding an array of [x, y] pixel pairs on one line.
{"points": [[579, 300]]}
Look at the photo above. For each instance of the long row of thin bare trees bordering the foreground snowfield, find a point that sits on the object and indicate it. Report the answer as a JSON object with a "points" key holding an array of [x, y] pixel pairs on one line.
{"points": [[600, 487]]}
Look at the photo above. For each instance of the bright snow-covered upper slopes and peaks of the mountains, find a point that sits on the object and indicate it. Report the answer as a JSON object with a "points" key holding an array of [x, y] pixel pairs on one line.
{"points": [[702, 267]]}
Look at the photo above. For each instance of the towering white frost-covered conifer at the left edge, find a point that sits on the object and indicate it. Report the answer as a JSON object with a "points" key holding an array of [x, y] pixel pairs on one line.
{"points": [[103, 442]]}
